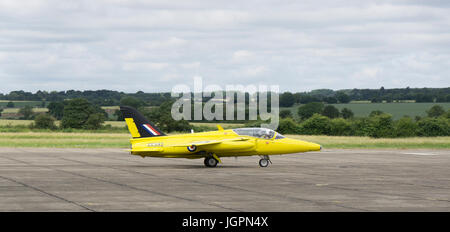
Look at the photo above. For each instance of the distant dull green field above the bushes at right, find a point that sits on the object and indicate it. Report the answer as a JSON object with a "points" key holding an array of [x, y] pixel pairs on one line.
{"points": [[397, 110]]}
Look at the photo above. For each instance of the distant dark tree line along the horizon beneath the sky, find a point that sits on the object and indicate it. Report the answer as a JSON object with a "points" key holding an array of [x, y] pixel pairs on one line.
{"points": [[287, 99]]}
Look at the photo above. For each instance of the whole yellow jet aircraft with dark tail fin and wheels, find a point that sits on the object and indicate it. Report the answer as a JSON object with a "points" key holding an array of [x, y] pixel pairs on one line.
{"points": [[148, 140]]}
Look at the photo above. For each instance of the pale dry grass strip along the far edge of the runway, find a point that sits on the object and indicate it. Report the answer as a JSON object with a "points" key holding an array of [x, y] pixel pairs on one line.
{"points": [[121, 140]]}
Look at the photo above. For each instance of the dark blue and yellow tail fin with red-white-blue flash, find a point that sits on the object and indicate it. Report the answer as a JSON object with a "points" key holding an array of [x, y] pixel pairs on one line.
{"points": [[138, 125]]}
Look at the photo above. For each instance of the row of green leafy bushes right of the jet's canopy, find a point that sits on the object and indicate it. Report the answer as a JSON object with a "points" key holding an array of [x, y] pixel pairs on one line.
{"points": [[317, 119]]}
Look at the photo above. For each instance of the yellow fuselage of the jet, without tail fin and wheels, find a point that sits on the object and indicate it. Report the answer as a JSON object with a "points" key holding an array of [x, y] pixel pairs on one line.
{"points": [[198, 145]]}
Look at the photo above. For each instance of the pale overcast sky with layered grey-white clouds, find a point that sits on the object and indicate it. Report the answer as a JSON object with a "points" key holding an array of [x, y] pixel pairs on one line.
{"points": [[153, 45]]}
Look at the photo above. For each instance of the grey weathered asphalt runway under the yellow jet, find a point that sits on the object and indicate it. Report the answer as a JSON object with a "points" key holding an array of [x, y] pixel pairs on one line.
{"points": [[43, 179]]}
